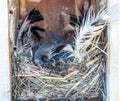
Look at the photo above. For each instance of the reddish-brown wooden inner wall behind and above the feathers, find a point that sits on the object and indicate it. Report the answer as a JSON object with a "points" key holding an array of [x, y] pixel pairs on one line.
{"points": [[50, 9]]}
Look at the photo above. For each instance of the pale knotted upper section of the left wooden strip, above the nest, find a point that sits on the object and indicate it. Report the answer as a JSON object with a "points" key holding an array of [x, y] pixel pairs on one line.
{"points": [[13, 18]]}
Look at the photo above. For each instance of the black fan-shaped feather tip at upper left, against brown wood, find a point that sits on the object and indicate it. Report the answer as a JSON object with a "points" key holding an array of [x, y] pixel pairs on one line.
{"points": [[35, 16]]}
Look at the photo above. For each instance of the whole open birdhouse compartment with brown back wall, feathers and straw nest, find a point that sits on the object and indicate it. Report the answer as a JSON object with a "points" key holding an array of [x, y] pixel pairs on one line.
{"points": [[58, 50]]}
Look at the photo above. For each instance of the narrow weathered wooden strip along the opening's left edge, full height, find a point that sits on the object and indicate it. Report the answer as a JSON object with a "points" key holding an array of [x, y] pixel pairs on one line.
{"points": [[13, 16]]}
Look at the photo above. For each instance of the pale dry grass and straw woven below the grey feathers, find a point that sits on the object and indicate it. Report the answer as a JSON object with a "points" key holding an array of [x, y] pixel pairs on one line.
{"points": [[29, 81]]}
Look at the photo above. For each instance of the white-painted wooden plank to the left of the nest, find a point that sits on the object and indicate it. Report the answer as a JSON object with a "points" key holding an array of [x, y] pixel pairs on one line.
{"points": [[4, 60]]}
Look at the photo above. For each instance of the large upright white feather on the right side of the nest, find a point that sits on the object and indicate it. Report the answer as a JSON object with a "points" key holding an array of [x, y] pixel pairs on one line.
{"points": [[88, 28]]}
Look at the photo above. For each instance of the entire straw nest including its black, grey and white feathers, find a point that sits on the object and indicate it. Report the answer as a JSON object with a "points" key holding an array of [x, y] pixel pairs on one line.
{"points": [[53, 66]]}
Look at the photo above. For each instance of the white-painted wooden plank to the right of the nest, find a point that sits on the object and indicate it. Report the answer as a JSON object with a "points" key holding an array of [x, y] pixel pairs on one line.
{"points": [[113, 75]]}
